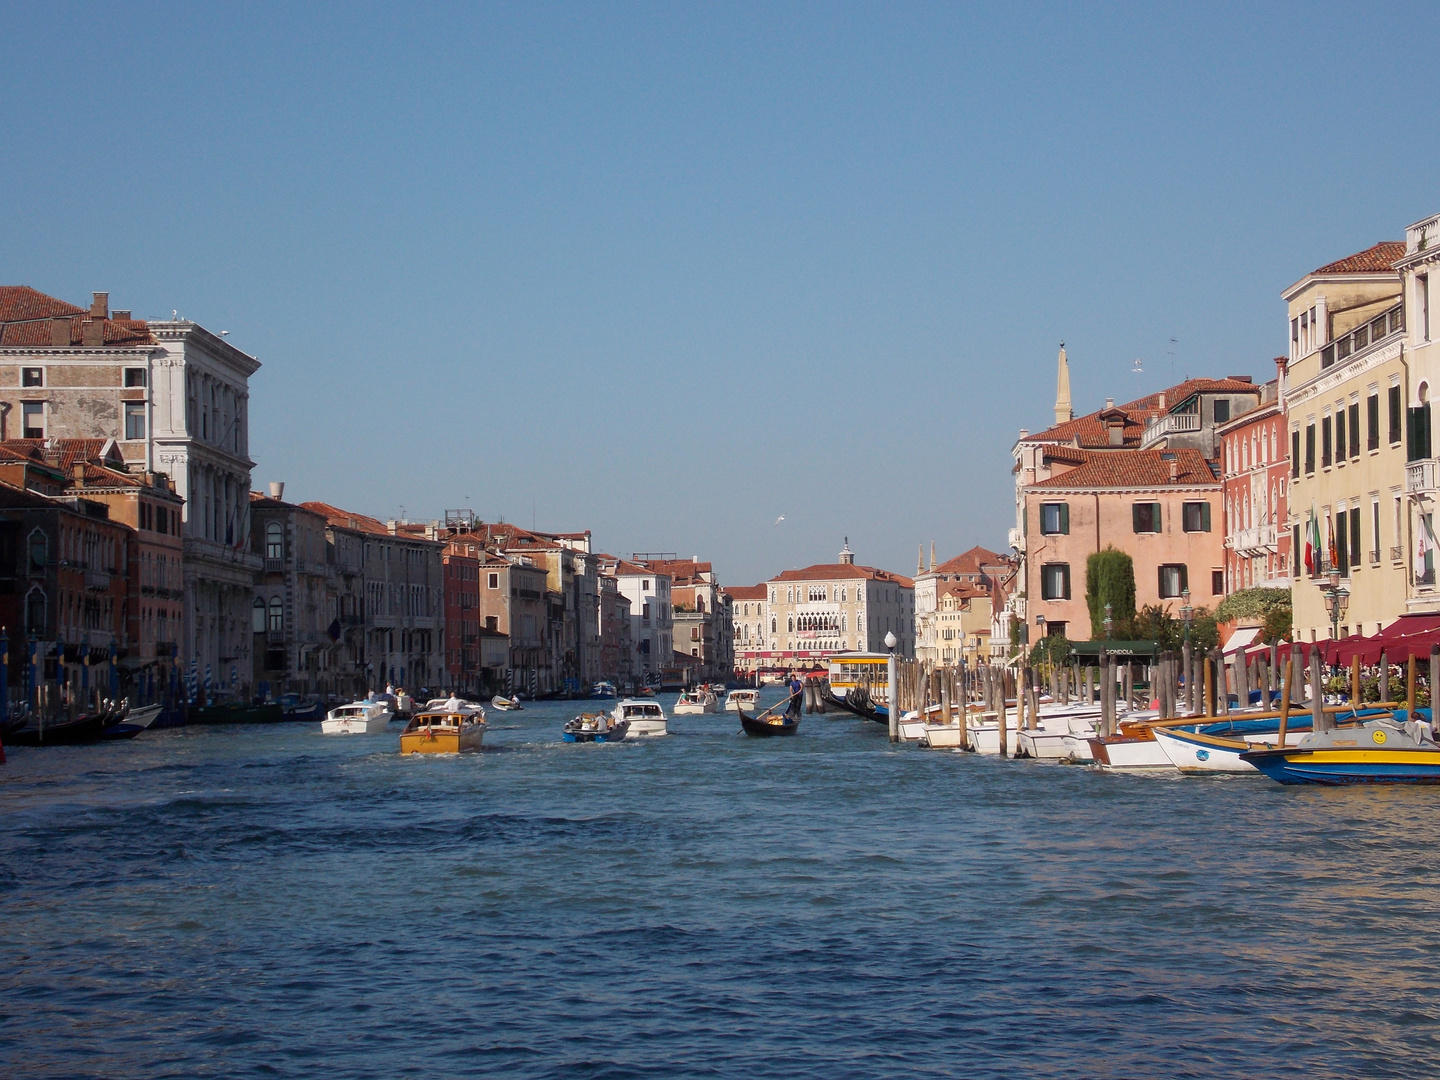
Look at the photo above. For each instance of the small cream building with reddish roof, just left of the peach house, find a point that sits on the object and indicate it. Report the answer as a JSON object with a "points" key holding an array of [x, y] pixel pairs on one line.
{"points": [[983, 574]]}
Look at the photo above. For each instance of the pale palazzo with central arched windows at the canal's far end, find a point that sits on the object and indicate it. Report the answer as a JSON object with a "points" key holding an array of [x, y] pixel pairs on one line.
{"points": [[837, 608]]}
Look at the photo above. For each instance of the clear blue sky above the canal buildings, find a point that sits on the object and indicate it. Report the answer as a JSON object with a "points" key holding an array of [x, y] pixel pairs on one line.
{"points": [[672, 271]]}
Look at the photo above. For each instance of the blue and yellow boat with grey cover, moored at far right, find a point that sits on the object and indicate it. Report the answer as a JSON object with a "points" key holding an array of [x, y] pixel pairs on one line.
{"points": [[1382, 751]]}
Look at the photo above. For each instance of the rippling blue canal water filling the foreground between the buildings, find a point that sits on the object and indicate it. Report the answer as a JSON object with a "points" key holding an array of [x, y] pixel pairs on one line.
{"points": [[270, 902]]}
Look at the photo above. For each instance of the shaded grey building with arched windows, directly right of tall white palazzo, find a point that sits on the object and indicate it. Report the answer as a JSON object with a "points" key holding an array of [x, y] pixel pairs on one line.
{"points": [[296, 613]]}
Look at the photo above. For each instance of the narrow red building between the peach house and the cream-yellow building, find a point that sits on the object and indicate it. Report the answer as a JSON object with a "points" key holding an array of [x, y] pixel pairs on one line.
{"points": [[1256, 470]]}
